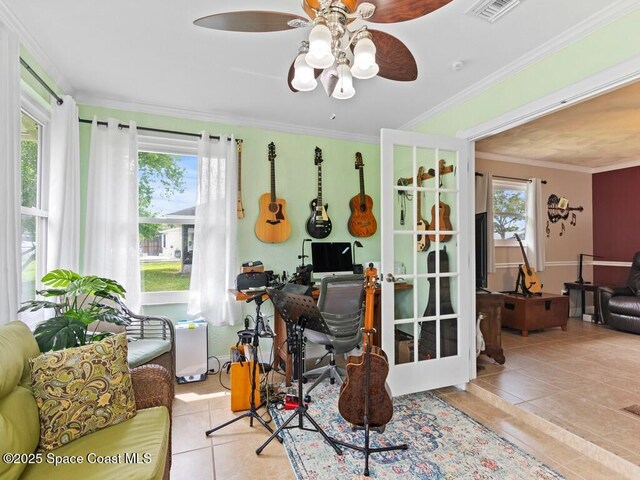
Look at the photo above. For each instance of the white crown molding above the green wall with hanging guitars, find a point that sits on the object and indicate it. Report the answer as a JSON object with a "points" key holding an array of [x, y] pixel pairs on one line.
{"points": [[213, 118]]}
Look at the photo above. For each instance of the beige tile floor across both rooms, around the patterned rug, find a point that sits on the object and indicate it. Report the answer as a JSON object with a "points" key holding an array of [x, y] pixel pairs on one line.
{"points": [[550, 374]]}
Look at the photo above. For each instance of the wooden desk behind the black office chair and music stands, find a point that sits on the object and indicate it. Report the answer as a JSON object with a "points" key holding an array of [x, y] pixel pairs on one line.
{"points": [[280, 327]]}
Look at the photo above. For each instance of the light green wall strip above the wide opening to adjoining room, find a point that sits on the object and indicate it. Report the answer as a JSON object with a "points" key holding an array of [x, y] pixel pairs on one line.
{"points": [[612, 44]]}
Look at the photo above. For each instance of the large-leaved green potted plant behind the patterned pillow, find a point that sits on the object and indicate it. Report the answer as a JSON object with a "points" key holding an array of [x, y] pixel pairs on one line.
{"points": [[77, 301]]}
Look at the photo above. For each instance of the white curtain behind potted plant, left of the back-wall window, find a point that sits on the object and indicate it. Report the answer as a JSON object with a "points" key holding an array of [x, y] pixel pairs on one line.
{"points": [[111, 237]]}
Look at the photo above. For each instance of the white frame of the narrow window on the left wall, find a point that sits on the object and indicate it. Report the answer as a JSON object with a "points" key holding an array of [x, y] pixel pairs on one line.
{"points": [[38, 113]]}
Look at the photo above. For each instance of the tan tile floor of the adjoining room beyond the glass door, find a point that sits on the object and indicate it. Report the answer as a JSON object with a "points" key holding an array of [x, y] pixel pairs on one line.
{"points": [[580, 380]]}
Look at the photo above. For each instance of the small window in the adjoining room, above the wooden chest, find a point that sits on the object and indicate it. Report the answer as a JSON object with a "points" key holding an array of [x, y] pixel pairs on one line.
{"points": [[509, 211]]}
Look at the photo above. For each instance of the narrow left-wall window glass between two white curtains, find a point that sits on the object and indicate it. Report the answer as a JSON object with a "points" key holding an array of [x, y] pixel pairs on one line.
{"points": [[33, 205]]}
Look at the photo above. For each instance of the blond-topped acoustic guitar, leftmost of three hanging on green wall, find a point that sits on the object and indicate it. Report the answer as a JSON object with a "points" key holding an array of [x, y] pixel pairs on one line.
{"points": [[272, 225]]}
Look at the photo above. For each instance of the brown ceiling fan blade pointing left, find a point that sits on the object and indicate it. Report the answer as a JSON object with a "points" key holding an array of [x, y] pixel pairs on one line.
{"points": [[248, 21]]}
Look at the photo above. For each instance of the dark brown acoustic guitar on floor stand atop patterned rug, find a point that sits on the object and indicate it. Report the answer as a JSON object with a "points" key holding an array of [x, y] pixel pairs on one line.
{"points": [[365, 399]]}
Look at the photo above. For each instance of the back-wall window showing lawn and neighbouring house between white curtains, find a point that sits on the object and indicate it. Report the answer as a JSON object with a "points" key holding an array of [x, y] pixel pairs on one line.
{"points": [[167, 186]]}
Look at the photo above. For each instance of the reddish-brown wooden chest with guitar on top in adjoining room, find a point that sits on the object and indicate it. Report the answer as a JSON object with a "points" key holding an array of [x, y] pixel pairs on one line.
{"points": [[535, 312]]}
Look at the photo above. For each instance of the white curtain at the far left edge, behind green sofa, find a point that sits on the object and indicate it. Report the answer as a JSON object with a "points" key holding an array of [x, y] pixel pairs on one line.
{"points": [[10, 271]]}
